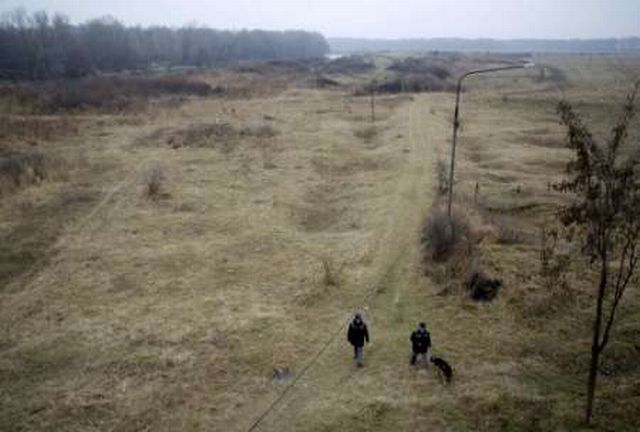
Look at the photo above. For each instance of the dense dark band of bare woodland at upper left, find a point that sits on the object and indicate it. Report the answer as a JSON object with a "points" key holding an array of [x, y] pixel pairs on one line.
{"points": [[40, 46]]}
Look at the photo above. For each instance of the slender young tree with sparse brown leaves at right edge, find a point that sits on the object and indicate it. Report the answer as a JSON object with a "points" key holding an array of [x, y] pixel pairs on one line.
{"points": [[604, 180]]}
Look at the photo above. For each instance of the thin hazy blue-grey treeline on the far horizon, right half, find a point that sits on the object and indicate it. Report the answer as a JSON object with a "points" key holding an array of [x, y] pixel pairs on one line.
{"points": [[350, 45]]}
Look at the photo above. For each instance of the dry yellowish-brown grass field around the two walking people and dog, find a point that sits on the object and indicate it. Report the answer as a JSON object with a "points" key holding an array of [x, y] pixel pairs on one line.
{"points": [[179, 251]]}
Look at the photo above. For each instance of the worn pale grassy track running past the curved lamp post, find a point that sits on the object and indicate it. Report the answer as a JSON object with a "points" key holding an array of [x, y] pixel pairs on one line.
{"points": [[334, 394]]}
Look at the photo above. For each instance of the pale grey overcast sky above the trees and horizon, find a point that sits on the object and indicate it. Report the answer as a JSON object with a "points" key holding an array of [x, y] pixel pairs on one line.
{"points": [[371, 18]]}
